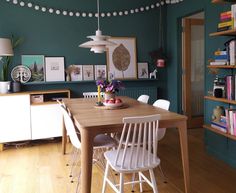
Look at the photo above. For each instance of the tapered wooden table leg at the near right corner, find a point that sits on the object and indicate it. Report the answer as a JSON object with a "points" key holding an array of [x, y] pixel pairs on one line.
{"points": [[182, 127]]}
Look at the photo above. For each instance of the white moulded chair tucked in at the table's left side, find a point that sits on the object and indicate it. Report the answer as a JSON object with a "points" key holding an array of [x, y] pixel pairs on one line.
{"points": [[101, 141]]}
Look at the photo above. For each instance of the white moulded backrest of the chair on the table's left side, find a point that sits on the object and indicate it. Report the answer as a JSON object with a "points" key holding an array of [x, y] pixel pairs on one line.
{"points": [[70, 128]]}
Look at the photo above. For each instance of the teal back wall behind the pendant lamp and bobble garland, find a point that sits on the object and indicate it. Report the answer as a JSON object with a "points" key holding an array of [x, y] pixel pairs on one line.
{"points": [[52, 35]]}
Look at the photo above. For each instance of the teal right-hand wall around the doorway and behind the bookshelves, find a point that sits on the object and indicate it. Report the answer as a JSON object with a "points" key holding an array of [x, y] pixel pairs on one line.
{"points": [[217, 145]]}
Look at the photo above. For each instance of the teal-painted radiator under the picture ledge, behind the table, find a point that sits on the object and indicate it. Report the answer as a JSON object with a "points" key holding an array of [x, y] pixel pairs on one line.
{"points": [[135, 92]]}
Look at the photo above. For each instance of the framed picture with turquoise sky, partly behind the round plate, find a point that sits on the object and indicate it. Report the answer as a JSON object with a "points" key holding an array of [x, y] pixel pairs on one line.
{"points": [[36, 65]]}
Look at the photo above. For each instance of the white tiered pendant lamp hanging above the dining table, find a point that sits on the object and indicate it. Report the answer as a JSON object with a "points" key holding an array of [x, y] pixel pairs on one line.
{"points": [[99, 42]]}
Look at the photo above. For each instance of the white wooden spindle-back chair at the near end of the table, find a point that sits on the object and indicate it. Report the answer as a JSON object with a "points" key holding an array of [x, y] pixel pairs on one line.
{"points": [[136, 157]]}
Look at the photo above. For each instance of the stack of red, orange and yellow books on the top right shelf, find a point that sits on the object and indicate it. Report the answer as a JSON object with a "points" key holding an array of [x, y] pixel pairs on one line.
{"points": [[226, 21]]}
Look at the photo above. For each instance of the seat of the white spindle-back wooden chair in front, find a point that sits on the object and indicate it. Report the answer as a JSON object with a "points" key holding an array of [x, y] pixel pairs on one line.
{"points": [[111, 156]]}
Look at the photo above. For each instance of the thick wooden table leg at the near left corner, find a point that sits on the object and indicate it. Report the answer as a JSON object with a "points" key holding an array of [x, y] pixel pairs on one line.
{"points": [[86, 160]]}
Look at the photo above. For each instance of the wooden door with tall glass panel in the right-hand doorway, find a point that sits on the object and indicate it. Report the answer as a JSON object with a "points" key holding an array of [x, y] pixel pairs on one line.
{"points": [[193, 71]]}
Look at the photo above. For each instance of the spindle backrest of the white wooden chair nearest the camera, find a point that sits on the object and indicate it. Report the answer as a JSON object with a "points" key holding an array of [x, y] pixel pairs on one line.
{"points": [[139, 153]]}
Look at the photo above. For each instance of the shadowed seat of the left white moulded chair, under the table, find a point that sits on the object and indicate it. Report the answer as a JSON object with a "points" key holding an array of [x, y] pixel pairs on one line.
{"points": [[105, 141]]}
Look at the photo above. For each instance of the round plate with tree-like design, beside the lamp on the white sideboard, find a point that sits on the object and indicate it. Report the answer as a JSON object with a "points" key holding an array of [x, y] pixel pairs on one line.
{"points": [[21, 74]]}
